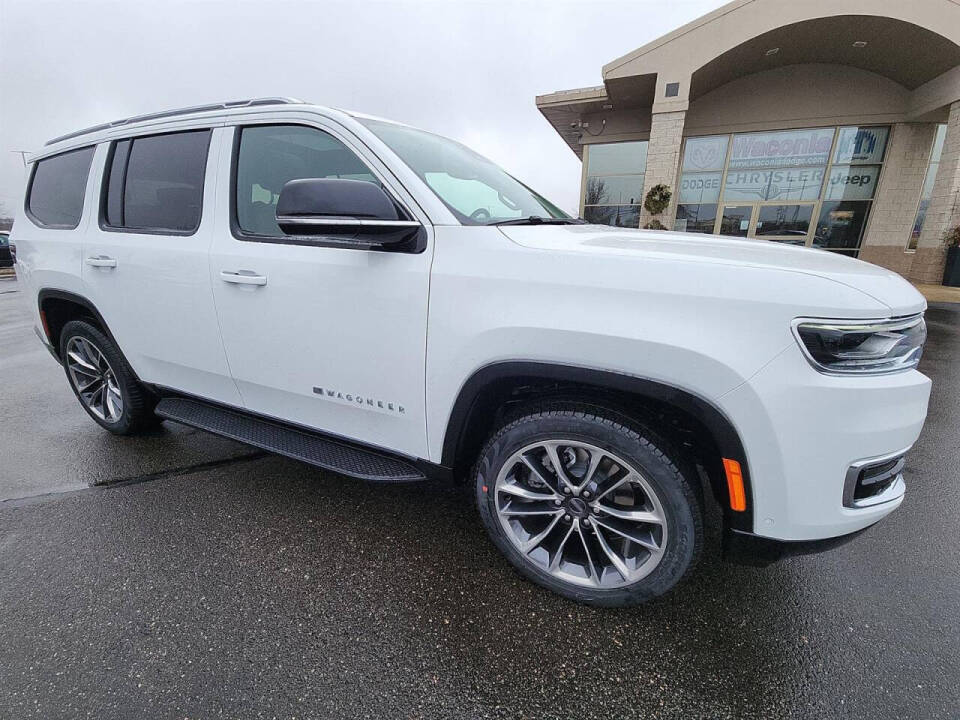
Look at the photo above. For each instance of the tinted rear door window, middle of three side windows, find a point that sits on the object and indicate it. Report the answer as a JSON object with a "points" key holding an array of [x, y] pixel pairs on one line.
{"points": [[155, 183]]}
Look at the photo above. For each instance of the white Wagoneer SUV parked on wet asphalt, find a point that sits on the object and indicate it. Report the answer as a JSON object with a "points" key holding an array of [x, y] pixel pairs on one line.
{"points": [[384, 303]]}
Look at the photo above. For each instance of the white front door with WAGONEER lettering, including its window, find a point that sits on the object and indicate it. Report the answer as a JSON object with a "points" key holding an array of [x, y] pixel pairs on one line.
{"points": [[331, 338]]}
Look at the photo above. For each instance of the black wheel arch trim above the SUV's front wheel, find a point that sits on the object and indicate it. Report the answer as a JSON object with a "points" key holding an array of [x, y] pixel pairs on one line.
{"points": [[491, 391]]}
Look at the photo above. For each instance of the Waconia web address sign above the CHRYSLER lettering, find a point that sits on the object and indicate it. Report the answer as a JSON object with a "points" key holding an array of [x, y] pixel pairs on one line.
{"points": [[787, 148]]}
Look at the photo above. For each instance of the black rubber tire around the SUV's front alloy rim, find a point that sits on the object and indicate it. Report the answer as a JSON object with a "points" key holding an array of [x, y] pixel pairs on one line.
{"points": [[676, 489]]}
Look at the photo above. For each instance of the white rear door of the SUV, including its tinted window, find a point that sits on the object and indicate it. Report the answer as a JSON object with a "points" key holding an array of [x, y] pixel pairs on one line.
{"points": [[145, 263]]}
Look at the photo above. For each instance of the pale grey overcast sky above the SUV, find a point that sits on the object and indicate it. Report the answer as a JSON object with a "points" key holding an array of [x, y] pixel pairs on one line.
{"points": [[467, 70]]}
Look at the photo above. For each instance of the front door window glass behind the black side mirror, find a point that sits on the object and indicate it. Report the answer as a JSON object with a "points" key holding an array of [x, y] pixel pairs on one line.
{"points": [[269, 156]]}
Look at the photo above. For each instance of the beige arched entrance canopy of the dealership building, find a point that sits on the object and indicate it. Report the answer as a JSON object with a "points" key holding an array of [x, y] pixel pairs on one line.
{"points": [[913, 43]]}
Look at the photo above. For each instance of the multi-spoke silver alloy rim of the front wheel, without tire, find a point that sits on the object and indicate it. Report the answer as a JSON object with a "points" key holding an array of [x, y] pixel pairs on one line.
{"points": [[581, 513]]}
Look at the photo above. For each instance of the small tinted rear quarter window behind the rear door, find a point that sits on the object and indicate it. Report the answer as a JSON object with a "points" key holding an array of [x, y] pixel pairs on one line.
{"points": [[56, 191]]}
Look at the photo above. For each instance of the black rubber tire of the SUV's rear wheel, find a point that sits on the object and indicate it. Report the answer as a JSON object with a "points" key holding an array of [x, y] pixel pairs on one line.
{"points": [[138, 403]]}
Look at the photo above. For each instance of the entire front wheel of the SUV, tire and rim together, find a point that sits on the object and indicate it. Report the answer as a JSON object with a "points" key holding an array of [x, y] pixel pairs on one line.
{"points": [[586, 503]]}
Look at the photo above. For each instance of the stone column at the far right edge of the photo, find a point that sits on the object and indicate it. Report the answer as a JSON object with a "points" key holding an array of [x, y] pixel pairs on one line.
{"points": [[944, 211]]}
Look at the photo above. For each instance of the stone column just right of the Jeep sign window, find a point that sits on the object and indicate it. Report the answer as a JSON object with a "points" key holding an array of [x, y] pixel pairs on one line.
{"points": [[895, 205]]}
